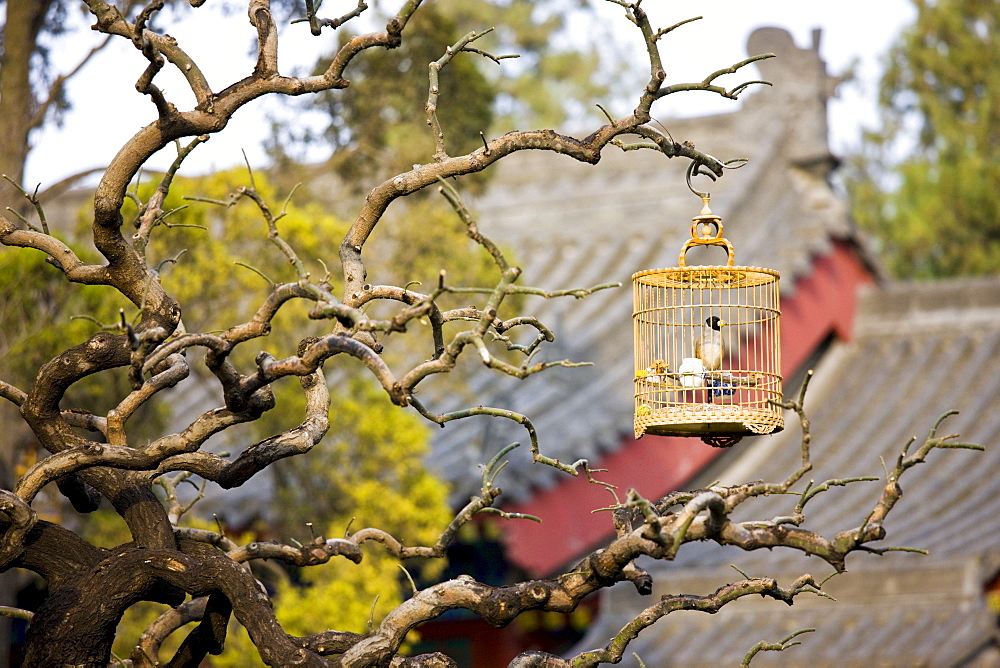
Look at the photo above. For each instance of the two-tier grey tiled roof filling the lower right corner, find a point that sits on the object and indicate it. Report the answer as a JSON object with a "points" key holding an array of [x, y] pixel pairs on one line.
{"points": [[919, 350]]}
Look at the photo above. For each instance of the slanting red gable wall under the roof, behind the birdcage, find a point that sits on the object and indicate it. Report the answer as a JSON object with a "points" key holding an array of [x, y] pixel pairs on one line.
{"points": [[823, 303]]}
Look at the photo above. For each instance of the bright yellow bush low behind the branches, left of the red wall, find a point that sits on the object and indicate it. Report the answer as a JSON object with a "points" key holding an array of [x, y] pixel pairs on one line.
{"points": [[368, 473]]}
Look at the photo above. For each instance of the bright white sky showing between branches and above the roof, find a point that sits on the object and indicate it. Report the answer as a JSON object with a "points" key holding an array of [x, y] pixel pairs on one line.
{"points": [[107, 110]]}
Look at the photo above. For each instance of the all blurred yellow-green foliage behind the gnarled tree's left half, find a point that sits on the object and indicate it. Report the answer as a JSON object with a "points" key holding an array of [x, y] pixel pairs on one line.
{"points": [[368, 471]]}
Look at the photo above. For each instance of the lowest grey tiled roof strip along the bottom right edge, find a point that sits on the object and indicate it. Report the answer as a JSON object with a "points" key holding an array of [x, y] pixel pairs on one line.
{"points": [[919, 627]]}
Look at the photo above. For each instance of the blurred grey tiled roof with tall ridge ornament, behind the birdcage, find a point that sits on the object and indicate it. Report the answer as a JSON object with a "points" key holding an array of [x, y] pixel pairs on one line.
{"points": [[575, 225]]}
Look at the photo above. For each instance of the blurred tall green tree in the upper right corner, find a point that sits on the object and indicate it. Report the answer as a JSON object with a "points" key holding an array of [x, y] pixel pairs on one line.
{"points": [[926, 183]]}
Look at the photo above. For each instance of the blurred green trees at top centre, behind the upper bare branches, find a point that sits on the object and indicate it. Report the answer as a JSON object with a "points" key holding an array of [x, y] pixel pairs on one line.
{"points": [[377, 126]]}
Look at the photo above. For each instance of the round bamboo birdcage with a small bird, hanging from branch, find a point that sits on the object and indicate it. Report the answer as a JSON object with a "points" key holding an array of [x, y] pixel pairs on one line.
{"points": [[707, 348]]}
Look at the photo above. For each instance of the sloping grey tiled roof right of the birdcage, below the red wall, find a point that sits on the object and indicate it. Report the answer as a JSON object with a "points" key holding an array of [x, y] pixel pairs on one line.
{"points": [[871, 395]]}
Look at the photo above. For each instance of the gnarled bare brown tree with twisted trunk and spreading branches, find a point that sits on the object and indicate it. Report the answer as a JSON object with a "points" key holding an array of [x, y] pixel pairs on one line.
{"points": [[155, 353]]}
